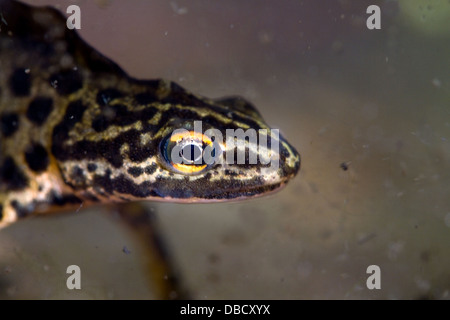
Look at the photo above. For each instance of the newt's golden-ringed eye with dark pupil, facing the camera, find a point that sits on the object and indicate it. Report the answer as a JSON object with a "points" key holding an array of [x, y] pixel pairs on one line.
{"points": [[189, 152]]}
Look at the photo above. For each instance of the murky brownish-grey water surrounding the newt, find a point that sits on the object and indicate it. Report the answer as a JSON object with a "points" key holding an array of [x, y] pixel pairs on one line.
{"points": [[376, 103]]}
